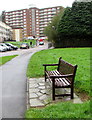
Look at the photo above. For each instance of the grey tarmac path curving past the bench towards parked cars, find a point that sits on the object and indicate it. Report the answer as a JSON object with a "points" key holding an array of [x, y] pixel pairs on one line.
{"points": [[13, 83]]}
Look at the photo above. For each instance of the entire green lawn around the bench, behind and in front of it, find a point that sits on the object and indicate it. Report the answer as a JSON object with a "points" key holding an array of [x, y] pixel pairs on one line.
{"points": [[79, 56]]}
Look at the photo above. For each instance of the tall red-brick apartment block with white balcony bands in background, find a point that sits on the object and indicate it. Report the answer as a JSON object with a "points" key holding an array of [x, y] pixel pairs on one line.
{"points": [[32, 20]]}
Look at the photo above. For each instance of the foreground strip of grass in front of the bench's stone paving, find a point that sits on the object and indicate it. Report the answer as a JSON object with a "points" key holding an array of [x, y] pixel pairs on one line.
{"points": [[61, 110]]}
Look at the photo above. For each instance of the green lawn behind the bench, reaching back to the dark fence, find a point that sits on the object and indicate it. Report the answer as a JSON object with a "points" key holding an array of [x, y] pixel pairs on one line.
{"points": [[79, 56]]}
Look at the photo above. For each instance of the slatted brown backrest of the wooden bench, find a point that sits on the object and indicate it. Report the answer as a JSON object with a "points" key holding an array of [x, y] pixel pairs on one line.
{"points": [[67, 68]]}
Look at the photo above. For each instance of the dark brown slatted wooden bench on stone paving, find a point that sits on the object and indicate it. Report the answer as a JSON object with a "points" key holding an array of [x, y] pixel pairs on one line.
{"points": [[63, 77]]}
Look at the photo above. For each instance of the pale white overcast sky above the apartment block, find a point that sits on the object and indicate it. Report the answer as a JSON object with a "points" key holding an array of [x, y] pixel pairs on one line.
{"points": [[10, 5]]}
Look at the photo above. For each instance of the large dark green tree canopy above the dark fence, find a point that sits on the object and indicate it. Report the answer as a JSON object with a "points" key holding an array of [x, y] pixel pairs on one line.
{"points": [[76, 21]]}
